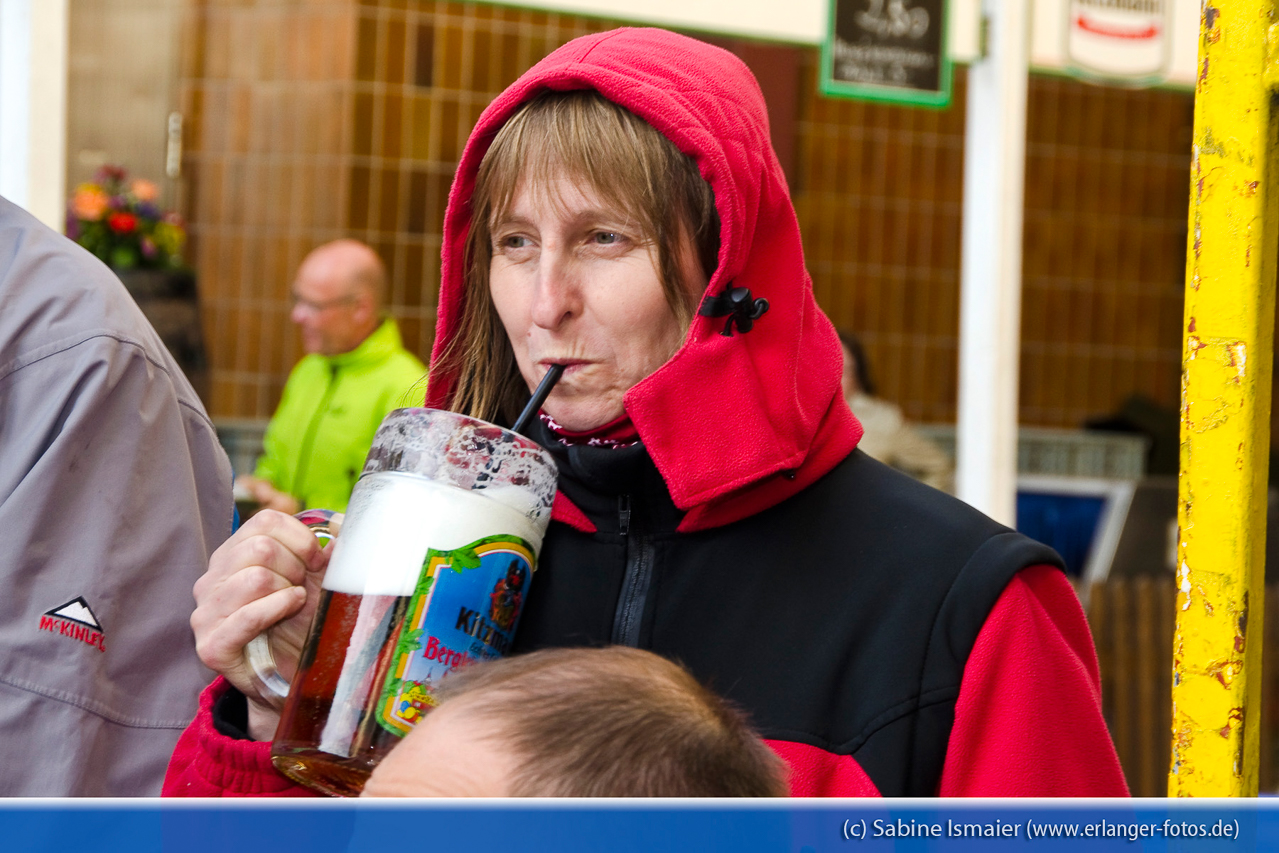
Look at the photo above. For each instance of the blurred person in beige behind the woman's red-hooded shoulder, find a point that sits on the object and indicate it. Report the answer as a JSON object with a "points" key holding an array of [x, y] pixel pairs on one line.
{"points": [[888, 437]]}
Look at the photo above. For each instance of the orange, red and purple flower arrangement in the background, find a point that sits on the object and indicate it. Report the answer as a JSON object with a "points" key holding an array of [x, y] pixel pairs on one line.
{"points": [[118, 221]]}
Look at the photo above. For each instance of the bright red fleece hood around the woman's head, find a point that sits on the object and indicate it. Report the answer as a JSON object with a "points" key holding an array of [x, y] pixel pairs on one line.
{"points": [[735, 424]]}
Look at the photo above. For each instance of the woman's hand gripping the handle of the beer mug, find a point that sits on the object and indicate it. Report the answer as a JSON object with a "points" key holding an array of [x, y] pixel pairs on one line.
{"points": [[264, 577]]}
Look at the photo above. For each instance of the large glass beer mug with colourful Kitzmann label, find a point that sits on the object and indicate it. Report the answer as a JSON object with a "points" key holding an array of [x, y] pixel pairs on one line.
{"points": [[430, 571]]}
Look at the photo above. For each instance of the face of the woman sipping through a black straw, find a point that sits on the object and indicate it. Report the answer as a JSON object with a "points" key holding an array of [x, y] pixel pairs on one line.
{"points": [[576, 285]]}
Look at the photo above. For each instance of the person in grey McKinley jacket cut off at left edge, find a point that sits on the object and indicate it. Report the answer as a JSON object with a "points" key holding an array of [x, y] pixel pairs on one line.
{"points": [[99, 429]]}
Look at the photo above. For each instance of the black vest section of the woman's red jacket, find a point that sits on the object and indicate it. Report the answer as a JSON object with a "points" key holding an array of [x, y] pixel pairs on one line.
{"points": [[841, 618]]}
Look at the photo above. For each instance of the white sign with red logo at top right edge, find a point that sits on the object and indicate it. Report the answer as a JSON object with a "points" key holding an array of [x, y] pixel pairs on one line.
{"points": [[1118, 40]]}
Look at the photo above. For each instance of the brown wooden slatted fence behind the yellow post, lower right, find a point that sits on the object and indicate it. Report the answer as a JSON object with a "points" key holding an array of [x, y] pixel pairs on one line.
{"points": [[1133, 626]]}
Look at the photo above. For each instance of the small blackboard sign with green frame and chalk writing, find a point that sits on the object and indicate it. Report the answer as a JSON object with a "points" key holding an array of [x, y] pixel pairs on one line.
{"points": [[888, 51]]}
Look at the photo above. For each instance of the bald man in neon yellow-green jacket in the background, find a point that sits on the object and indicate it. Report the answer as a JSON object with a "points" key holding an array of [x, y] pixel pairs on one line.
{"points": [[355, 373]]}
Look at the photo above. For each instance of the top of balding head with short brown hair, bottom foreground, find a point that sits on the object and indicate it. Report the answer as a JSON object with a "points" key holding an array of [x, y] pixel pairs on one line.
{"points": [[611, 722]]}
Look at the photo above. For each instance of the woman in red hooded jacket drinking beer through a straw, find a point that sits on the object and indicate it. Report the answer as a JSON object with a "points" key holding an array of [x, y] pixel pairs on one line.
{"points": [[620, 210]]}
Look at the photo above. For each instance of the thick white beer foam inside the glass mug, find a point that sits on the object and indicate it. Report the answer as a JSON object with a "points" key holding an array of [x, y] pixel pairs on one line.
{"points": [[396, 519]]}
